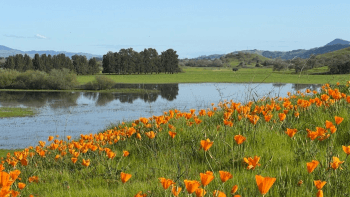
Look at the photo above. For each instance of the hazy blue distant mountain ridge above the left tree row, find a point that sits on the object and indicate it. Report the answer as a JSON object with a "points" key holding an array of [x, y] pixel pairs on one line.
{"points": [[6, 51]]}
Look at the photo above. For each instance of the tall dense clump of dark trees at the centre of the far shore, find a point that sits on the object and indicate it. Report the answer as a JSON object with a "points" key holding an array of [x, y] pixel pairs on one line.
{"points": [[128, 61]]}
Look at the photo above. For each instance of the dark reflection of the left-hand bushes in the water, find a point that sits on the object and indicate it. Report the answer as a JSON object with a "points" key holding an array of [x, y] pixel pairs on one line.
{"points": [[39, 99]]}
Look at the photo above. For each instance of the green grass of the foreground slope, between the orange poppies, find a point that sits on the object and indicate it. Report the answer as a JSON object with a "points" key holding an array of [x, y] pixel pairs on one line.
{"points": [[180, 158]]}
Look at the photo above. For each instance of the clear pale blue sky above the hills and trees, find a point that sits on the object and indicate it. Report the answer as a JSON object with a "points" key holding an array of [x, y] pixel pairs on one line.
{"points": [[192, 28]]}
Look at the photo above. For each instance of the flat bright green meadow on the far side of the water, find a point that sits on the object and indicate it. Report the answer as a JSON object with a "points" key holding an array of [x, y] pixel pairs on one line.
{"points": [[226, 75]]}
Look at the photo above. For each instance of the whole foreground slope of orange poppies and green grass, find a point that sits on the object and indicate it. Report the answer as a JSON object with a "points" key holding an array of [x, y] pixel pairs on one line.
{"points": [[294, 146]]}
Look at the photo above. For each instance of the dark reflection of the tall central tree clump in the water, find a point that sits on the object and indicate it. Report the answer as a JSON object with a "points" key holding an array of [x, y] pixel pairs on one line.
{"points": [[167, 91]]}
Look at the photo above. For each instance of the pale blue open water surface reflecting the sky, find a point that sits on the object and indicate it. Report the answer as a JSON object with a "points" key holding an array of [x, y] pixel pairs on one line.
{"points": [[86, 114]]}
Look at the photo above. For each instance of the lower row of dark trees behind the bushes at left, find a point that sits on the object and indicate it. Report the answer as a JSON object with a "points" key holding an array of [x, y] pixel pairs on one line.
{"points": [[79, 64]]}
